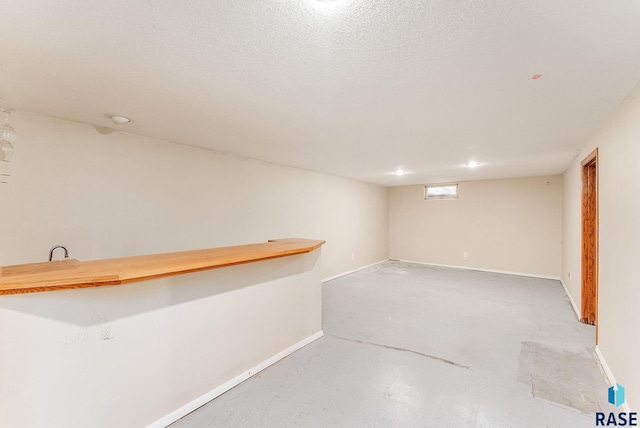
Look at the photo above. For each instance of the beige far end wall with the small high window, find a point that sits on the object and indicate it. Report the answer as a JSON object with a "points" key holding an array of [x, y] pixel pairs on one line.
{"points": [[512, 225]]}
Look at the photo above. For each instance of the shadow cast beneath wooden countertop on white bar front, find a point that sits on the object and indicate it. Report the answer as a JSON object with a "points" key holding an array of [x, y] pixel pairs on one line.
{"points": [[88, 307]]}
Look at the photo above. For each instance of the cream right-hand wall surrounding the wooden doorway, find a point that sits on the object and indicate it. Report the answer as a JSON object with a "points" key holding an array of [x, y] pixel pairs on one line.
{"points": [[618, 146]]}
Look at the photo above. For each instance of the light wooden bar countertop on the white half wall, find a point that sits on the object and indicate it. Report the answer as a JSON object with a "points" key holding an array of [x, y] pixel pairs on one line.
{"points": [[71, 273]]}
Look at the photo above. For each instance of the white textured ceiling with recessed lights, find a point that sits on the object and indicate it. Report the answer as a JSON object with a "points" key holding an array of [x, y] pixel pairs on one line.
{"points": [[357, 88]]}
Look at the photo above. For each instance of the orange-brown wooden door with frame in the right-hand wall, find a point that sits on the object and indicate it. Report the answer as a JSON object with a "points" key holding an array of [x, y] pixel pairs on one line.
{"points": [[590, 240]]}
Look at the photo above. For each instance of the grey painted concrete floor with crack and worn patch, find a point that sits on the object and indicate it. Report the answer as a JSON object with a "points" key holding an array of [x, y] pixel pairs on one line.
{"points": [[417, 346]]}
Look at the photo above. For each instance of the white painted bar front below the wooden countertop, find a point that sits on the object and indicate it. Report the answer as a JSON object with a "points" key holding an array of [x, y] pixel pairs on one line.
{"points": [[129, 355]]}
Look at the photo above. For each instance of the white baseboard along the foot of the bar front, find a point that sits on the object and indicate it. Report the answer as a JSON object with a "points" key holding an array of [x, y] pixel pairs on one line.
{"points": [[204, 399]]}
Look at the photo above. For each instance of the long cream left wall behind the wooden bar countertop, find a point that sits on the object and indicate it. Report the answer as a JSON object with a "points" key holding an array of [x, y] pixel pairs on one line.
{"points": [[117, 195]]}
